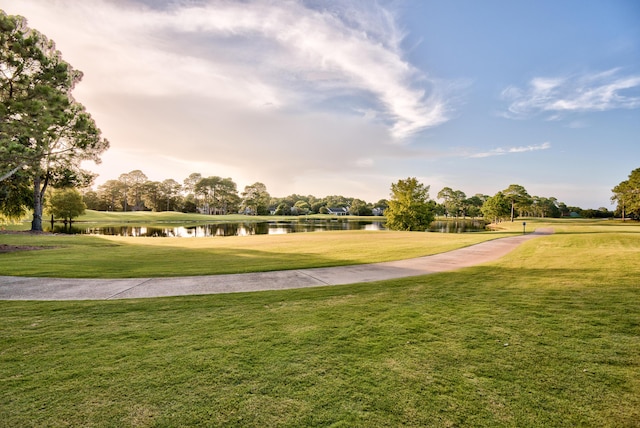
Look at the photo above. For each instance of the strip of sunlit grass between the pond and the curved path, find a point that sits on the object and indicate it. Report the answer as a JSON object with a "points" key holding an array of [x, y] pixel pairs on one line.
{"points": [[112, 257]]}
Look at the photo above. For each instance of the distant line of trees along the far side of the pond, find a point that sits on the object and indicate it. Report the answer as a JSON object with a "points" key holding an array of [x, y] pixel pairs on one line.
{"points": [[133, 191]]}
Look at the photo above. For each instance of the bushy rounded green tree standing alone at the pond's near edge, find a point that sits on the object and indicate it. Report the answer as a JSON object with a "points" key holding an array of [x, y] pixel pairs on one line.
{"points": [[409, 206]]}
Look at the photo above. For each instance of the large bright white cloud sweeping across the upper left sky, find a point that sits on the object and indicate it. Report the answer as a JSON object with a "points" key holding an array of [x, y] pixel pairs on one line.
{"points": [[263, 53]]}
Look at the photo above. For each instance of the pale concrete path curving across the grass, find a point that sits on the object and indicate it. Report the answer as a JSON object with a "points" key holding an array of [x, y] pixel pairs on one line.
{"points": [[30, 288]]}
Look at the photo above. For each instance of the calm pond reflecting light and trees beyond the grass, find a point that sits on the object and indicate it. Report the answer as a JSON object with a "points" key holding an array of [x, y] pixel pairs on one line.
{"points": [[250, 228]]}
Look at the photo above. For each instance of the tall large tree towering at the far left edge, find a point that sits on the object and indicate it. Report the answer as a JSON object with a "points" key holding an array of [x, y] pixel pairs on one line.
{"points": [[44, 133]]}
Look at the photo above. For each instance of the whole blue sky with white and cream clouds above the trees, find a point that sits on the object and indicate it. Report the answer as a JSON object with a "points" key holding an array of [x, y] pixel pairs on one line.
{"points": [[324, 97]]}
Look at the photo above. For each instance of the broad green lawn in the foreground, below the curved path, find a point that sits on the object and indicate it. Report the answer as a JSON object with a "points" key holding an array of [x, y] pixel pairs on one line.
{"points": [[547, 336]]}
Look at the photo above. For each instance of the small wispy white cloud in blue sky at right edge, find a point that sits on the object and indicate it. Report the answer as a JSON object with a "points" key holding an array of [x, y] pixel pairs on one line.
{"points": [[603, 91]]}
